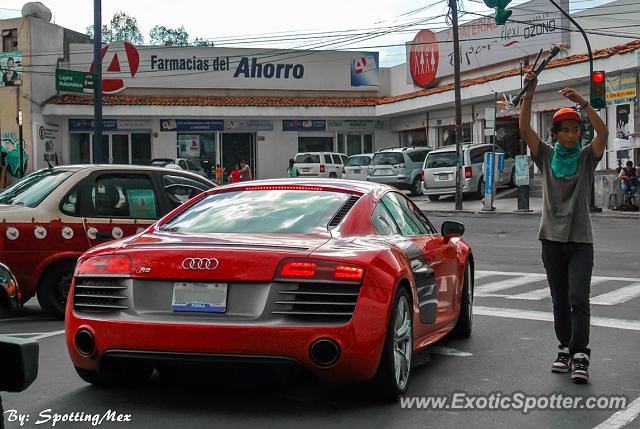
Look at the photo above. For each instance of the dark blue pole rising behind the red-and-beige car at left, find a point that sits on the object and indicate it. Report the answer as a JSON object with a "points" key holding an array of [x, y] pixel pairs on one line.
{"points": [[97, 81]]}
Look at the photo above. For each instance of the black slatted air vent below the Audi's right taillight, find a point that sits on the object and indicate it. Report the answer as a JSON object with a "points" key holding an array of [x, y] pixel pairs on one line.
{"points": [[317, 302]]}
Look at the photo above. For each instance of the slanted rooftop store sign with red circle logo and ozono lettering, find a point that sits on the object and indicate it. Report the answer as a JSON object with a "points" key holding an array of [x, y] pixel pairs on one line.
{"points": [[533, 26]]}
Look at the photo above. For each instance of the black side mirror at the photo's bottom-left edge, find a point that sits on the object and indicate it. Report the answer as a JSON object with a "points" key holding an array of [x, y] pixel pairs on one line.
{"points": [[18, 363]]}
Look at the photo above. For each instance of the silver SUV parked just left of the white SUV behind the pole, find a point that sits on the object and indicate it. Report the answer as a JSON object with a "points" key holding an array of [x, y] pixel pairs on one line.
{"points": [[399, 167]]}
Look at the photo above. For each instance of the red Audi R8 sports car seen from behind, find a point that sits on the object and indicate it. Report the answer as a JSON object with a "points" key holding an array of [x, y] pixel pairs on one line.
{"points": [[347, 278]]}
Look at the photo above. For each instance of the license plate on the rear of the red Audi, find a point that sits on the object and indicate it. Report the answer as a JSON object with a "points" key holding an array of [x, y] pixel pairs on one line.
{"points": [[205, 297]]}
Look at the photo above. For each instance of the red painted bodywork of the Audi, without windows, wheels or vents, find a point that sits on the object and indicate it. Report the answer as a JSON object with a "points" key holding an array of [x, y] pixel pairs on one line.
{"points": [[254, 259]]}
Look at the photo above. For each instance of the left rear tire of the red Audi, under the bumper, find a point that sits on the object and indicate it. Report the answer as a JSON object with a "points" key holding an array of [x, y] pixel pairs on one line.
{"points": [[118, 374]]}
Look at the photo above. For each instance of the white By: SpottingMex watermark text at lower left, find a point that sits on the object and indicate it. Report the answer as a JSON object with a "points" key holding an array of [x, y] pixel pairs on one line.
{"points": [[50, 418]]}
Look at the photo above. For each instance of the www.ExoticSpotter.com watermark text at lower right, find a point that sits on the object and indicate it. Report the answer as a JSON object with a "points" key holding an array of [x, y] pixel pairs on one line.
{"points": [[518, 401]]}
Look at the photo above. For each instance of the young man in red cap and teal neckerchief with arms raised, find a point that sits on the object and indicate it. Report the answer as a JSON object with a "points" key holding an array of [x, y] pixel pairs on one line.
{"points": [[565, 230]]}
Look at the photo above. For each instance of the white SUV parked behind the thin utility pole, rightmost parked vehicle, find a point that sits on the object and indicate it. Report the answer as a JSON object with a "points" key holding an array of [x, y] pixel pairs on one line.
{"points": [[439, 171]]}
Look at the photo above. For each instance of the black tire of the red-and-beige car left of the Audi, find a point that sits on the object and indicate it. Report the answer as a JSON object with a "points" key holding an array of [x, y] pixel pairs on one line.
{"points": [[54, 288]]}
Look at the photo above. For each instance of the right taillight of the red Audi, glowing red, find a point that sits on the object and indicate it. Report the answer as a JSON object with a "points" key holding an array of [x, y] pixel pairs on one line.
{"points": [[318, 270]]}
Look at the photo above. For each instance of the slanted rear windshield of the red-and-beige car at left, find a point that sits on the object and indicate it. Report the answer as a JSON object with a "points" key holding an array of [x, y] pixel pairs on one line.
{"points": [[30, 191]]}
